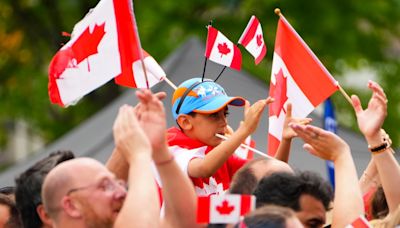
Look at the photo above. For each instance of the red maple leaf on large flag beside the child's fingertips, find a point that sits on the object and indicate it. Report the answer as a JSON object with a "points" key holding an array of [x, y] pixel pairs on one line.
{"points": [[278, 92]]}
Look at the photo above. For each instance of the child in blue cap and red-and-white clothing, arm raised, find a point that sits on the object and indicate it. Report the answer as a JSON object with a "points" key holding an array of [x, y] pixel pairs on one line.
{"points": [[200, 109]]}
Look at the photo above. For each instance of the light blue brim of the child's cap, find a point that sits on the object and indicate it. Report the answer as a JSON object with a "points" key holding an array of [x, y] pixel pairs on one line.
{"points": [[219, 103]]}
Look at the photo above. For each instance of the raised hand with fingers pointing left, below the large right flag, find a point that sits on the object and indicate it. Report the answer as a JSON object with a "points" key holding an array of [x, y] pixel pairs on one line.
{"points": [[321, 143]]}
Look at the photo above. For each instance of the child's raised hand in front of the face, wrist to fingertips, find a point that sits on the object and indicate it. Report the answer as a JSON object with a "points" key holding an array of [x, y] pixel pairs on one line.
{"points": [[253, 114]]}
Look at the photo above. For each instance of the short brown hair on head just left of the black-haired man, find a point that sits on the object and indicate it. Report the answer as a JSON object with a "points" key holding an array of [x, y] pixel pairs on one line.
{"points": [[244, 181]]}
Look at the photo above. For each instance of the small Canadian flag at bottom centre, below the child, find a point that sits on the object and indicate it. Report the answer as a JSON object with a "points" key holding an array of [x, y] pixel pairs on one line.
{"points": [[224, 209]]}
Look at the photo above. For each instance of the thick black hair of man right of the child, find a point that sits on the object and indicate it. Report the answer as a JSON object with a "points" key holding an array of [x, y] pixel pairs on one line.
{"points": [[285, 189]]}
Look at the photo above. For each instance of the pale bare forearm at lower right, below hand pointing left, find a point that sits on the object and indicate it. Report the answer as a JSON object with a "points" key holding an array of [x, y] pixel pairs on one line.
{"points": [[348, 204]]}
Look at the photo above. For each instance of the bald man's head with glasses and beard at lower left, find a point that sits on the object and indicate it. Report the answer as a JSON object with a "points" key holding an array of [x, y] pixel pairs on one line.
{"points": [[83, 191]]}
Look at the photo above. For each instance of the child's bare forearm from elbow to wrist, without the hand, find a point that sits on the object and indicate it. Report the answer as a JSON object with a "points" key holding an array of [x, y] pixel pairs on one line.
{"points": [[218, 156]]}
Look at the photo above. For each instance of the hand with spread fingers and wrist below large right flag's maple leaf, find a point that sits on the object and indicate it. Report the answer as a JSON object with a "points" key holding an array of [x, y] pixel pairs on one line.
{"points": [[288, 134]]}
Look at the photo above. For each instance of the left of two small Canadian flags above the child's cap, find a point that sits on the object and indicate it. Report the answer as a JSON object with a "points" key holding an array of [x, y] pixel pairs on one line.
{"points": [[221, 50]]}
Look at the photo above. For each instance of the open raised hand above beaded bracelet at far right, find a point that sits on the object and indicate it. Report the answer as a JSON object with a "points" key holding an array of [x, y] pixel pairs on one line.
{"points": [[370, 120]]}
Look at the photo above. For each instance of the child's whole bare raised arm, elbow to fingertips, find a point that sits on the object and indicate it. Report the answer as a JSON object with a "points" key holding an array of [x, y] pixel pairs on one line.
{"points": [[206, 167]]}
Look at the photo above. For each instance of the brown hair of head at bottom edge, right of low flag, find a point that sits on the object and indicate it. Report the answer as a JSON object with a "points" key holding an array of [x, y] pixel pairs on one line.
{"points": [[269, 216]]}
